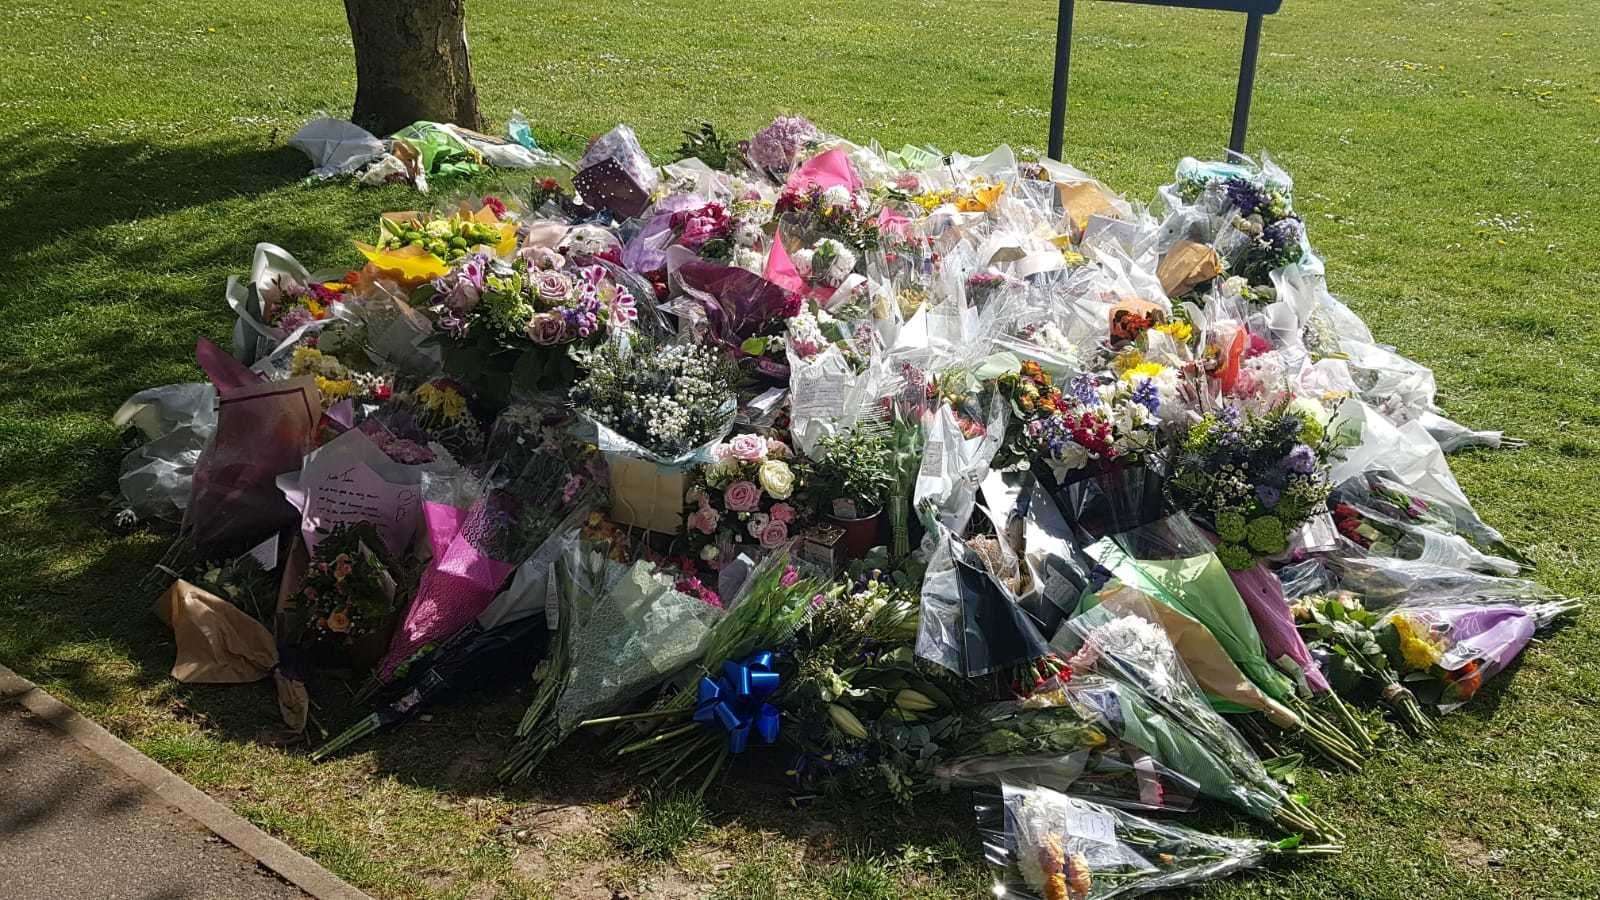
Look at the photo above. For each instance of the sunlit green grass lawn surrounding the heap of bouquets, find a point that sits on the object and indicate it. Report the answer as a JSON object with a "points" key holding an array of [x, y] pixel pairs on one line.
{"points": [[1446, 156]]}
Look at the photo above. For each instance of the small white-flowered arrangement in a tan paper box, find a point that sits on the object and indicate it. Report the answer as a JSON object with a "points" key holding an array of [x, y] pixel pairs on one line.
{"points": [[655, 411]]}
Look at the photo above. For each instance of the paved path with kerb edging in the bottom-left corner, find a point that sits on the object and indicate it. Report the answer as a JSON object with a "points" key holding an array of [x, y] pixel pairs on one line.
{"points": [[86, 816]]}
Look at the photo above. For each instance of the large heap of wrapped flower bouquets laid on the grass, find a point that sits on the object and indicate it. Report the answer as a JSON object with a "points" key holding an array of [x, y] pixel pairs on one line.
{"points": [[882, 470]]}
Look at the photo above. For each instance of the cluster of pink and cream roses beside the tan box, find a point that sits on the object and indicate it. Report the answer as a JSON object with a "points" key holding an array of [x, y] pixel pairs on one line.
{"points": [[743, 500]]}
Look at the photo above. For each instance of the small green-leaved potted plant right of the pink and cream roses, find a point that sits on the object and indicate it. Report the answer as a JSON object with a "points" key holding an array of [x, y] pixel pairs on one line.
{"points": [[849, 483]]}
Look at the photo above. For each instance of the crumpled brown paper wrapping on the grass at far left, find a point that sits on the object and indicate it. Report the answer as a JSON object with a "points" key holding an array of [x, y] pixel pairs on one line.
{"points": [[217, 641]]}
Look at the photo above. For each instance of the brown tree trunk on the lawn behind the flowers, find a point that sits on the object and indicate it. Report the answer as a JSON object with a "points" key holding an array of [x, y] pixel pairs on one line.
{"points": [[412, 63]]}
